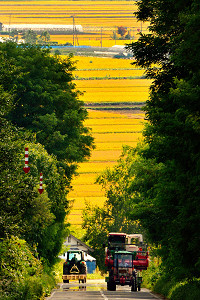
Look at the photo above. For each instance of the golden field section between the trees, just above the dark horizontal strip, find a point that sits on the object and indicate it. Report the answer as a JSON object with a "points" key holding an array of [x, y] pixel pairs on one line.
{"points": [[110, 90]]}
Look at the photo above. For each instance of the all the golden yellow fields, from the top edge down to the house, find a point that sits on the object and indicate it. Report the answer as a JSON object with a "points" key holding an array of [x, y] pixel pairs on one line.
{"points": [[111, 130]]}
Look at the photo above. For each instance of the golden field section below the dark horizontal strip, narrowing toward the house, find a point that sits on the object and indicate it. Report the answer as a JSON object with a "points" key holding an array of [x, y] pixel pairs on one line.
{"points": [[107, 152]]}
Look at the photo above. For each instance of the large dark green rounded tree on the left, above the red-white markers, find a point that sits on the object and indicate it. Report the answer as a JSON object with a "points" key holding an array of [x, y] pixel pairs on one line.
{"points": [[46, 102]]}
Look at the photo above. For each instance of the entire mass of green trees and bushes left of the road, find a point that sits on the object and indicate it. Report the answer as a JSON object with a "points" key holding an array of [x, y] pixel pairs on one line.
{"points": [[40, 110]]}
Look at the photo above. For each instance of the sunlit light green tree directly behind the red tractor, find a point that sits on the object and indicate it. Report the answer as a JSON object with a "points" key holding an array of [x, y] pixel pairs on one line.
{"points": [[113, 217]]}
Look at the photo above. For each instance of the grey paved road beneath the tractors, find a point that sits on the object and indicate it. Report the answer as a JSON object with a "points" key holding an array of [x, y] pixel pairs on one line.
{"points": [[97, 290]]}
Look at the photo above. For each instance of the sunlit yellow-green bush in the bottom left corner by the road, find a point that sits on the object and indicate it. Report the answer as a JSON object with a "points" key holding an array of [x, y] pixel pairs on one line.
{"points": [[22, 275]]}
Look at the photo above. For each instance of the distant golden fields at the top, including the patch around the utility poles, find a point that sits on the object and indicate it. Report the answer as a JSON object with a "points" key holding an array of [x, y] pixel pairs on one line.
{"points": [[99, 19]]}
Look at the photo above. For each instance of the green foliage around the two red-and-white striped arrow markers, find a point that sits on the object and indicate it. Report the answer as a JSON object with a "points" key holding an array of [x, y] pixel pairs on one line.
{"points": [[24, 212]]}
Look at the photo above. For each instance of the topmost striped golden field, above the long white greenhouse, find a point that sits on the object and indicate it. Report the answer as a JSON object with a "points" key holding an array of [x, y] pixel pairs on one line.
{"points": [[86, 13]]}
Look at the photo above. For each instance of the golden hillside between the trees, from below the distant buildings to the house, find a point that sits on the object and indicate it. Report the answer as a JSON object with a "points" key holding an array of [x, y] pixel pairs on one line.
{"points": [[112, 125]]}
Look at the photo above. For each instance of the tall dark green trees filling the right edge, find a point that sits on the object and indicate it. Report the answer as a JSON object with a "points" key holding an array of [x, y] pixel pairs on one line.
{"points": [[170, 54]]}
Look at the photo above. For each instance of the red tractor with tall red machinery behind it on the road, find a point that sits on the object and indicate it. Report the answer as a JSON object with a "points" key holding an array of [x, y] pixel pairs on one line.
{"points": [[126, 256]]}
